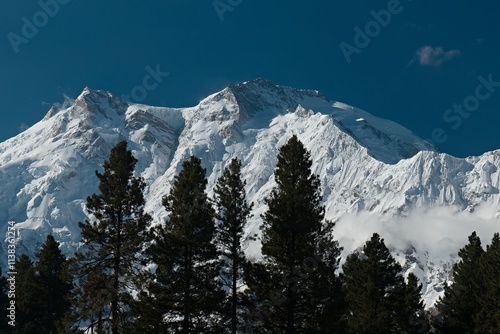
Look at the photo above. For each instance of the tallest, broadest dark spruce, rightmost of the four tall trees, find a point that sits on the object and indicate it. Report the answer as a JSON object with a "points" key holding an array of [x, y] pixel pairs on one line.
{"points": [[296, 288]]}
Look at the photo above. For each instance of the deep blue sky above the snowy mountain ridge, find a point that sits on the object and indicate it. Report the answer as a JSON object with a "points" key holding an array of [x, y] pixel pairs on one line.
{"points": [[412, 66]]}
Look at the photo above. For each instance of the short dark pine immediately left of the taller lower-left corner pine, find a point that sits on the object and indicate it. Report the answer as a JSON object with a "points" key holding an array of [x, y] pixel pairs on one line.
{"points": [[28, 297]]}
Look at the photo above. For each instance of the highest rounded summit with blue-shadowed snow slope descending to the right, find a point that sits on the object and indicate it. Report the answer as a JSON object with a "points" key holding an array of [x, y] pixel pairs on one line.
{"points": [[255, 104]]}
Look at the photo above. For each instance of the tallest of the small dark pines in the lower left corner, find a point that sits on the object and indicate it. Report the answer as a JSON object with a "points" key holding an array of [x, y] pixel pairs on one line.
{"points": [[55, 284]]}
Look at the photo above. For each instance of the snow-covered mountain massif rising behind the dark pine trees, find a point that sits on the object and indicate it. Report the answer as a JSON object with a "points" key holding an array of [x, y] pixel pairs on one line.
{"points": [[371, 169]]}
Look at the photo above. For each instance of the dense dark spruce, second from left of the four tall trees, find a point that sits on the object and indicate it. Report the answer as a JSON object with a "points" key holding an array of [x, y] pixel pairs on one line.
{"points": [[186, 289]]}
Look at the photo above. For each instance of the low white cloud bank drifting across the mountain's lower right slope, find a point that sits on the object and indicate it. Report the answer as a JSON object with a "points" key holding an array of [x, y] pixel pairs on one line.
{"points": [[440, 231]]}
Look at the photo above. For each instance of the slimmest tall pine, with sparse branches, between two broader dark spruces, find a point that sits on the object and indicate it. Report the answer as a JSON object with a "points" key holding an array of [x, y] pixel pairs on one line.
{"points": [[232, 212]]}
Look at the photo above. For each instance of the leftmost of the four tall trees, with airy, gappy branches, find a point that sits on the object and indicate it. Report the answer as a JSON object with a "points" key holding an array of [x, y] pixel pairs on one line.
{"points": [[114, 238]]}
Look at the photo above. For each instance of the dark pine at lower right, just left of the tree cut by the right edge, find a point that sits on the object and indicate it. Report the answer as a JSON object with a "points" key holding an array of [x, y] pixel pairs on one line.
{"points": [[459, 306]]}
